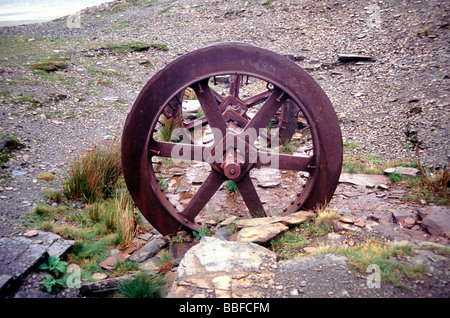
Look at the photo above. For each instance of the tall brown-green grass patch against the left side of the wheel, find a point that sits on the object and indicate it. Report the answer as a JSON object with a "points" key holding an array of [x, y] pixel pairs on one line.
{"points": [[94, 208]]}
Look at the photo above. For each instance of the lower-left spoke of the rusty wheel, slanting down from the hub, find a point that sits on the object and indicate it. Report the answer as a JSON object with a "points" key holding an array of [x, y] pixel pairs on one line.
{"points": [[203, 195]]}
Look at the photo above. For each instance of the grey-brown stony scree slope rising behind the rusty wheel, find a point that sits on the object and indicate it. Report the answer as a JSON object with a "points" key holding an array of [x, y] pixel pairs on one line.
{"points": [[390, 103]]}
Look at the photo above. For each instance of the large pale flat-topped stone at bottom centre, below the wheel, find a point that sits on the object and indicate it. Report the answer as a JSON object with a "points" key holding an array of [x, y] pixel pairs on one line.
{"points": [[222, 269]]}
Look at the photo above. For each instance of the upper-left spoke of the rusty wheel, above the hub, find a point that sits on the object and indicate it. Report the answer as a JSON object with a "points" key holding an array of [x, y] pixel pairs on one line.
{"points": [[209, 105]]}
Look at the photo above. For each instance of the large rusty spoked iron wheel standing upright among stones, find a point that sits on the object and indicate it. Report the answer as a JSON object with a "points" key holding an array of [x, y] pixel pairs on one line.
{"points": [[289, 92]]}
